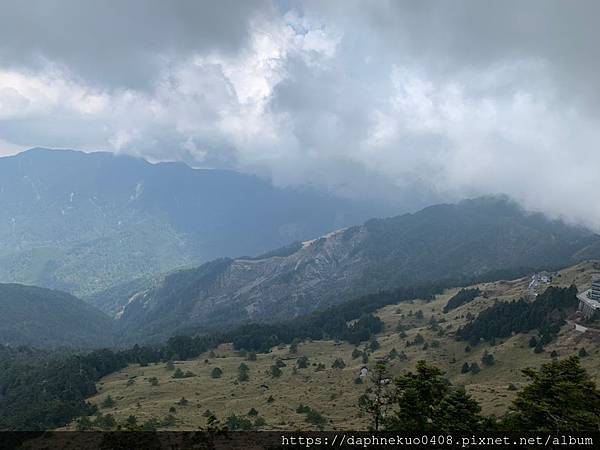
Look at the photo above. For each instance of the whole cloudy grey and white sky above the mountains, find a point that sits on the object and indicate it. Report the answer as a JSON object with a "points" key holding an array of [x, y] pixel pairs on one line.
{"points": [[412, 102]]}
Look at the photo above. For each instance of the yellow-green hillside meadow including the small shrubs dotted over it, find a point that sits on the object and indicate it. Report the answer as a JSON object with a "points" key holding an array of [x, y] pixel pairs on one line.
{"points": [[321, 375]]}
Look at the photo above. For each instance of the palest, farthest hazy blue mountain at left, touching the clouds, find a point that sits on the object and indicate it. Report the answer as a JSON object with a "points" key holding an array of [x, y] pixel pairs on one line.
{"points": [[83, 222]]}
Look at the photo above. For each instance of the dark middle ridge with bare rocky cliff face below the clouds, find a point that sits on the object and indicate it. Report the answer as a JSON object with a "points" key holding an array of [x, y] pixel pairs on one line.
{"points": [[440, 242]]}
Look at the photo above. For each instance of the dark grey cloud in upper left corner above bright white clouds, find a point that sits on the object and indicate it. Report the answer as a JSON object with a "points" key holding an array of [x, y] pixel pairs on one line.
{"points": [[120, 43]]}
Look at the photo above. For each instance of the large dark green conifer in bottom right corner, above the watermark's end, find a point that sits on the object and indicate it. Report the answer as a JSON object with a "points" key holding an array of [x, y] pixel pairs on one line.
{"points": [[560, 398]]}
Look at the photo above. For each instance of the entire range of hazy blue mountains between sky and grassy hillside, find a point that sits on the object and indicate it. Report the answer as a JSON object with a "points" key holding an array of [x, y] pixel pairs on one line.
{"points": [[152, 248]]}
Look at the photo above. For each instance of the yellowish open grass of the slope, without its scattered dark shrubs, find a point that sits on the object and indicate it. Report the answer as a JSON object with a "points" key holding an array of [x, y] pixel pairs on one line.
{"points": [[333, 392]]}
